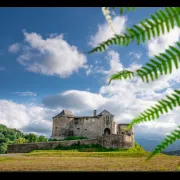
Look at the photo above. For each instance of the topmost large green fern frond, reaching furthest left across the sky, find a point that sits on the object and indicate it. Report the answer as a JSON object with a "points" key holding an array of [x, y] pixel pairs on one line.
{"points": [[149, 28]]}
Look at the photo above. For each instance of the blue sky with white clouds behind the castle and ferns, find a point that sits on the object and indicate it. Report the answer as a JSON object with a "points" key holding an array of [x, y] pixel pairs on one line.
{"points": [[44, 68]]}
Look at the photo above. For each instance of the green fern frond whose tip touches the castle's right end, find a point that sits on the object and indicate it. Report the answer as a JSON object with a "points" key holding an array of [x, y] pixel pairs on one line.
{"points": [[163, 106]]}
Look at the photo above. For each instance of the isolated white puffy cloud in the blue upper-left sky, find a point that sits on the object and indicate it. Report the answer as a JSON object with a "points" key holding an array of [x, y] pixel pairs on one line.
{"points": [[50, 56]]}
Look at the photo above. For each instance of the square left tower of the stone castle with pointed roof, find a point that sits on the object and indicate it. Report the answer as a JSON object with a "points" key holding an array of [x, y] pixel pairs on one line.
{"points": [[62, 125]]}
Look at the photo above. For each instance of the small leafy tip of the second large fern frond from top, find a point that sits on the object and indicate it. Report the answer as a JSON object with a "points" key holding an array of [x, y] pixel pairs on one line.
{"points": [[122, 74]]}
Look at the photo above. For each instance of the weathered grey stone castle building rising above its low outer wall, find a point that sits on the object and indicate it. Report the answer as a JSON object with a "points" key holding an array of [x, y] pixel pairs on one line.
{"points": [[66, 124]]}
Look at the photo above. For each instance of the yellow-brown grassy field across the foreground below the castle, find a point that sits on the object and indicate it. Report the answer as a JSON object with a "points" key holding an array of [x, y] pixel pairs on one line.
{"points": [[72, 160]]}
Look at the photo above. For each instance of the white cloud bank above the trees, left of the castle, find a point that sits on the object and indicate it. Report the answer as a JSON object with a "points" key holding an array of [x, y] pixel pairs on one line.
{"points": [[27, 118]]}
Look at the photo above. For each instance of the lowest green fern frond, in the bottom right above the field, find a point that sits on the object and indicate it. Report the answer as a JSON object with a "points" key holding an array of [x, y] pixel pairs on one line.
{"points": [[170, 139]]}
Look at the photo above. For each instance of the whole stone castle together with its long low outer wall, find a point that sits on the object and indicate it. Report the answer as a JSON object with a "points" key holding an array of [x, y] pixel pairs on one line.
{"points": [[99, 129]]}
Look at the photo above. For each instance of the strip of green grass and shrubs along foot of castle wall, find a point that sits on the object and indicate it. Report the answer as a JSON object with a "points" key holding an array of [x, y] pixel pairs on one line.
{"points": [[93, 150]]}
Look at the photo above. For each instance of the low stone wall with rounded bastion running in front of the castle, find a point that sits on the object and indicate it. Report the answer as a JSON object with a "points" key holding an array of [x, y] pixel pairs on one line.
{"points": [[108, 141]]}
